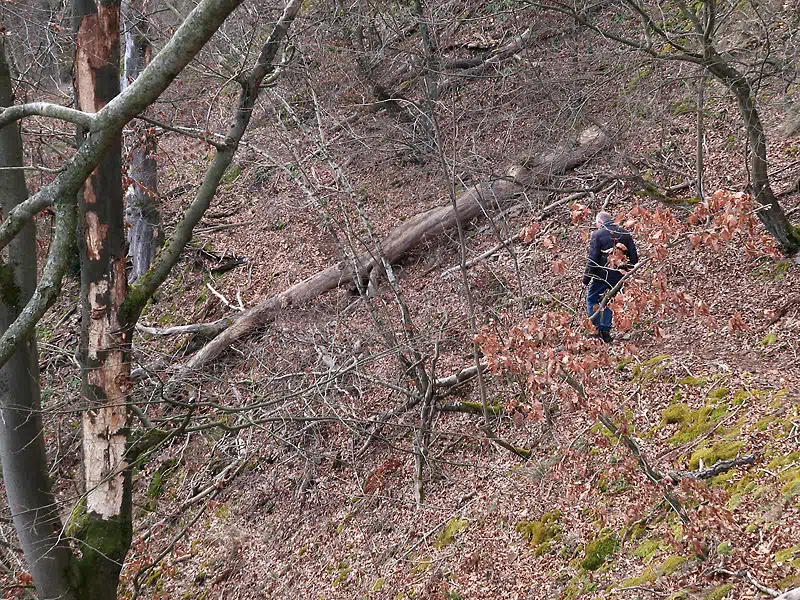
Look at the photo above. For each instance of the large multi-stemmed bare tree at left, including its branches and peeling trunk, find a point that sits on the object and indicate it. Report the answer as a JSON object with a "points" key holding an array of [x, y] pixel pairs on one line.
{"points": [[102, 523]]}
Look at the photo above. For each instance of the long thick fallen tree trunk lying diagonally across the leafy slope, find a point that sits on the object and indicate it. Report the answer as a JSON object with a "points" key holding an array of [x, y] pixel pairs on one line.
{"points": [[425, 226]]}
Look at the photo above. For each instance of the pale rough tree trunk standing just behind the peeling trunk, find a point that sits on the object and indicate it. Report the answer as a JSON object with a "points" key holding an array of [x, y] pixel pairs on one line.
{"points": [[144, 234]]}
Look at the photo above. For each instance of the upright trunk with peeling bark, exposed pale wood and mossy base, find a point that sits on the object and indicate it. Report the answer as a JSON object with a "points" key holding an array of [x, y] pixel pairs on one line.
{"points": [[105, 527]]}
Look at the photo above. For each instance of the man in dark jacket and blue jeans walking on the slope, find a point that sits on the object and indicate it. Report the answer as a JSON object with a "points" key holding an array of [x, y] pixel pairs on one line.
{"points": [[598, 276]]}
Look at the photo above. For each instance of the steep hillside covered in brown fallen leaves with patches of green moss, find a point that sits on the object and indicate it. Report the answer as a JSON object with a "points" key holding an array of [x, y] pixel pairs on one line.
{"points": [[300, 474]]}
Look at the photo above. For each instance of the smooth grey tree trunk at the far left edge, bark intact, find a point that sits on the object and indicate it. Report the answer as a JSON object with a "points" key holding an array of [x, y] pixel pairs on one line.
{"points": [[25, 472]]}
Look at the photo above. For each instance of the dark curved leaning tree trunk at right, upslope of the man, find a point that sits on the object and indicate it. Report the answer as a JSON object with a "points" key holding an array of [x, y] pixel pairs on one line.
{"points": [[771, 215]]}
